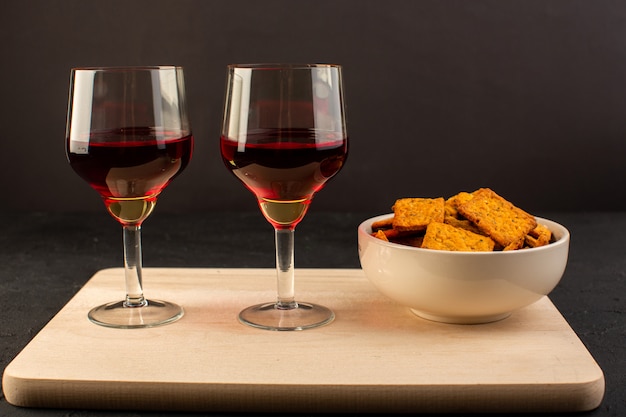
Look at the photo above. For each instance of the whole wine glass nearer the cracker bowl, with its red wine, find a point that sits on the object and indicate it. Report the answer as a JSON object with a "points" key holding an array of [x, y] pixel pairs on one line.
{"points": [[284, 136]]}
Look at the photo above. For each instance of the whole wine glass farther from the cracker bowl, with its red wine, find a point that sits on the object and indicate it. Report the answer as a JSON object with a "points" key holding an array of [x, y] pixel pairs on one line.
{"points": [[128, 136]]}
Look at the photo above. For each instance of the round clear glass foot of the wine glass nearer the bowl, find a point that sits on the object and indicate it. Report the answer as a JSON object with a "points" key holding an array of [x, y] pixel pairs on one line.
{"points": [[269, 317]]}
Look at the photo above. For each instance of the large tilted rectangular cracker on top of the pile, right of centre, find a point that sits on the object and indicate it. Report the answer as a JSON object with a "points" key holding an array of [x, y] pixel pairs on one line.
{"points": [[498, 218]]}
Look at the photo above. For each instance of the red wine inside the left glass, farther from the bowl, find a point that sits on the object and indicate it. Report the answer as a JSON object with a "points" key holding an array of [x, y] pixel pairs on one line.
{"points": [[130, 167]]}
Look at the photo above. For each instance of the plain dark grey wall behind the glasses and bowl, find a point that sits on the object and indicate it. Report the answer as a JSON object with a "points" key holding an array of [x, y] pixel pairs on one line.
{"points": [[525, 97]]}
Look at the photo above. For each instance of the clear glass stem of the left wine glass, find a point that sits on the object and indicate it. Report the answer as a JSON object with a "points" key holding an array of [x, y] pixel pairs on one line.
{"points": [[132, 266]]}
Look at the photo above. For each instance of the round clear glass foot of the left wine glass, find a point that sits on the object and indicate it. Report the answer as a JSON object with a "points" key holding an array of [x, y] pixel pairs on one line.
{"points": [[153, 313]]}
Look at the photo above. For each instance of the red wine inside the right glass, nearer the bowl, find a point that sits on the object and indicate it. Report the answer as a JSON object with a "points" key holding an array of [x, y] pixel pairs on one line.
{"points": [[285, 168]]}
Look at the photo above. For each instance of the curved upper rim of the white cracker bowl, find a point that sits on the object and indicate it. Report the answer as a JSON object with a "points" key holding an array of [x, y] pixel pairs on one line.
{"points": [[364, 229]]}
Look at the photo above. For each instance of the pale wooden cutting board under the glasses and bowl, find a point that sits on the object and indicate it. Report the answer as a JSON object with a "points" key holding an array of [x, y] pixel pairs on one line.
{"points": [[375, 357]]}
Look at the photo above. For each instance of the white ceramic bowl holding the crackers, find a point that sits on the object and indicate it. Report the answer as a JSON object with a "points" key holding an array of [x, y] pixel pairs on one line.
{"points": [[463, 287]]}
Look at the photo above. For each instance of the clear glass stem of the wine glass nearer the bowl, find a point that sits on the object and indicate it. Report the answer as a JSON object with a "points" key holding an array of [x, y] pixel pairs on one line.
{"points": [[285, 268]]}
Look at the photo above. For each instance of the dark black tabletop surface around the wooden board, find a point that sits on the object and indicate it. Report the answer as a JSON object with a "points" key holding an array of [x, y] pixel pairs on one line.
{"points": [[45, 258]]}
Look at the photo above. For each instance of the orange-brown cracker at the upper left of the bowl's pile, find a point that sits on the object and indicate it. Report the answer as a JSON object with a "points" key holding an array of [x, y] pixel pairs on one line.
{"points": [[414, 214]]}
